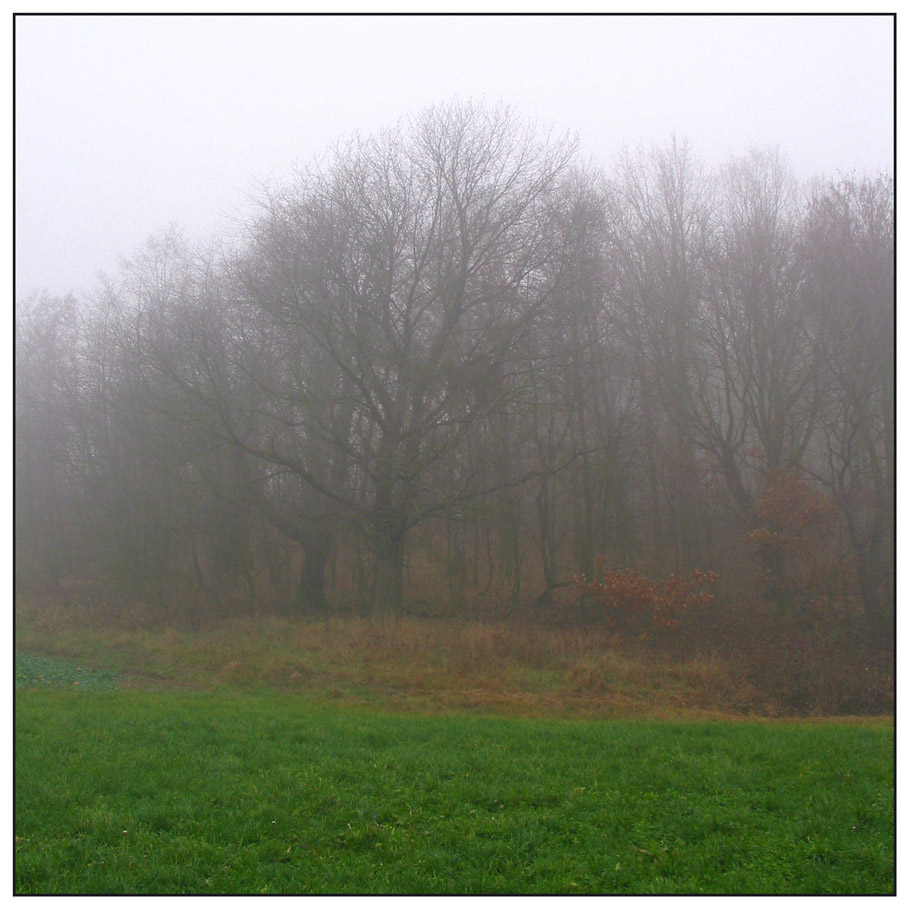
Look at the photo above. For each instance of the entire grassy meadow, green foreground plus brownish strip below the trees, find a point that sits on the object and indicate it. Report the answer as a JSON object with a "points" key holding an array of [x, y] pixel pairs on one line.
{"points": [[338, 757]]}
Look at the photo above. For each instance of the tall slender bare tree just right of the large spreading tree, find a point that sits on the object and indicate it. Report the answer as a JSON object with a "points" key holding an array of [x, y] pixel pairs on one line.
{"points": [[661, 220]]}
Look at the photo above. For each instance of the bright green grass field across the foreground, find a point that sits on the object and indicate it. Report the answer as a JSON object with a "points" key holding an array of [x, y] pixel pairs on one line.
{"points": [[265, 791]]}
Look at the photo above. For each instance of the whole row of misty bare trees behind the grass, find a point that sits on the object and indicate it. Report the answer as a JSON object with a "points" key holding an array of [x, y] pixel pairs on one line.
{"points": [[456, 364]]}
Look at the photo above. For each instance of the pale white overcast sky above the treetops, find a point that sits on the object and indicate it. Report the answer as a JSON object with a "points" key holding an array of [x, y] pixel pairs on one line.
{"points": [[126, 124]]}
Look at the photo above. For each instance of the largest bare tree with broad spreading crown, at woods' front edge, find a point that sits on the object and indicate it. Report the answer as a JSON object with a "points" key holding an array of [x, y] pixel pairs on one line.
{"points": [[395, 281]]}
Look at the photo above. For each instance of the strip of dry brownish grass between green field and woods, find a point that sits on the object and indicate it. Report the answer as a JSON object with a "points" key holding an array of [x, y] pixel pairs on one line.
{"points": [[425, 664]]}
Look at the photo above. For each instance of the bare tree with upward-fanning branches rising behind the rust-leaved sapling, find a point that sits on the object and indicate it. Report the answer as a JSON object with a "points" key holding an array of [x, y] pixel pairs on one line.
{"points": [[756, 395]]}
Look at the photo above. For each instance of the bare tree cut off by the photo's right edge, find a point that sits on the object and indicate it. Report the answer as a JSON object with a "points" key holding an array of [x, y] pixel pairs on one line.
{"points": [[850, 261]]}
